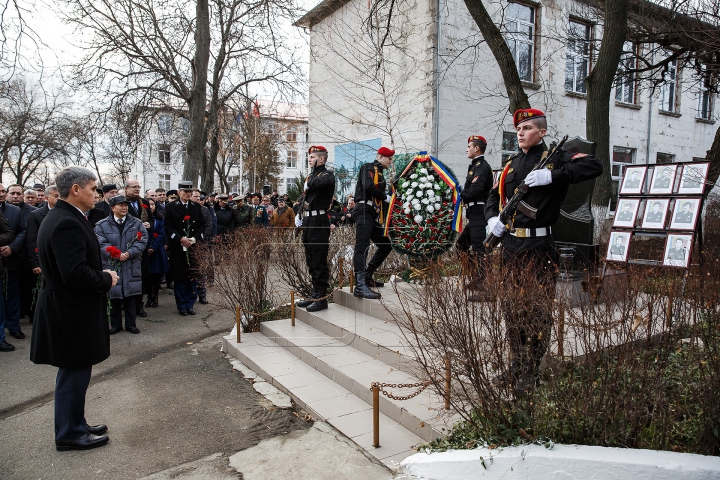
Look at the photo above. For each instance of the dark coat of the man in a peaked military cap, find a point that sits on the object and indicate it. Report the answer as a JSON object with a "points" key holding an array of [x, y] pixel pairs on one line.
{"points": [[175, 229]]}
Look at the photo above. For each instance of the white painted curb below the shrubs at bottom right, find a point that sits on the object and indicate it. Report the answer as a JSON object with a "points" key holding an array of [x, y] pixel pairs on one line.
{"points": [[561, 462]]}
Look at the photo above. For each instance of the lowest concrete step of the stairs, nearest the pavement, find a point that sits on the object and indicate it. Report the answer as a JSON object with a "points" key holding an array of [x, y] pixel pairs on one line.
{"points": [[323, 398]]}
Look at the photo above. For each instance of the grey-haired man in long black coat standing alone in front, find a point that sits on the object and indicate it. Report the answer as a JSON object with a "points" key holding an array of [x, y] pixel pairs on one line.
{"points": [[71, 327]]}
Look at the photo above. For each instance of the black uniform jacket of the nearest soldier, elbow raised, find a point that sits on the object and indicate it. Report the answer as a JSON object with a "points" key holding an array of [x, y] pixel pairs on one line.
{"points": [[566, 169]]}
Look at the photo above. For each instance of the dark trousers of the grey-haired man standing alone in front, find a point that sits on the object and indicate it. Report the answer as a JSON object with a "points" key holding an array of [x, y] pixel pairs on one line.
{"points": [[70, 388]]}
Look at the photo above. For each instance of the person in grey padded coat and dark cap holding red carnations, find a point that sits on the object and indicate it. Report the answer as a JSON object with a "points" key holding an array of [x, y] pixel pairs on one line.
{"points": [[128, 235]]}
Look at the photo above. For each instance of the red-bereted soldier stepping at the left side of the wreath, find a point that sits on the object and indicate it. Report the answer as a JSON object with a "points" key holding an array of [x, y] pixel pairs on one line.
{"points": [[371, 206]]}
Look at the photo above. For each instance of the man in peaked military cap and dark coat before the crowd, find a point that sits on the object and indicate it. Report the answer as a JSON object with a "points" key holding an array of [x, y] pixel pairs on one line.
{"points": [[184, 228]]}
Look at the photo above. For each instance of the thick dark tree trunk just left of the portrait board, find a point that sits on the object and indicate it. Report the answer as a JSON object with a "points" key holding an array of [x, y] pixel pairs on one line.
{"points": [[599, 87]]}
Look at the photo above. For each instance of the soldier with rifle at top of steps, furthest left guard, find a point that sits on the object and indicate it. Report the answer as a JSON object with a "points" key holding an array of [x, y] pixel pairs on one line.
{"points": [[318, 193]]}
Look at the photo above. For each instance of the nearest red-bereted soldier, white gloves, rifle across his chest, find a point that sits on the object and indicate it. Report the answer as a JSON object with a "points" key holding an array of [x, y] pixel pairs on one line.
{"points": [[530, 240]]}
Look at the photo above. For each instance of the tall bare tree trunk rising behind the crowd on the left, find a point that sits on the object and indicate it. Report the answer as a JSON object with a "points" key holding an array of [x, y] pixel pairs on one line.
{"points": [[198, 94]]}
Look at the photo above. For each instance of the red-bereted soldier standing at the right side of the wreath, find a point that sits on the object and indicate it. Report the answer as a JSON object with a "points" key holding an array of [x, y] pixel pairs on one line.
{"points": [[474, 195]]}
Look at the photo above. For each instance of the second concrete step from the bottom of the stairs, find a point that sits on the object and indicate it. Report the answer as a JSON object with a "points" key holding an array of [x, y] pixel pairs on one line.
{"points": [[356, 371]]}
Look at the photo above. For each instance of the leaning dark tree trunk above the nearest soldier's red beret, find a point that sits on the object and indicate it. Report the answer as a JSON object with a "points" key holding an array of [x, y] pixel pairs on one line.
{"points": [[501, 52]]}
